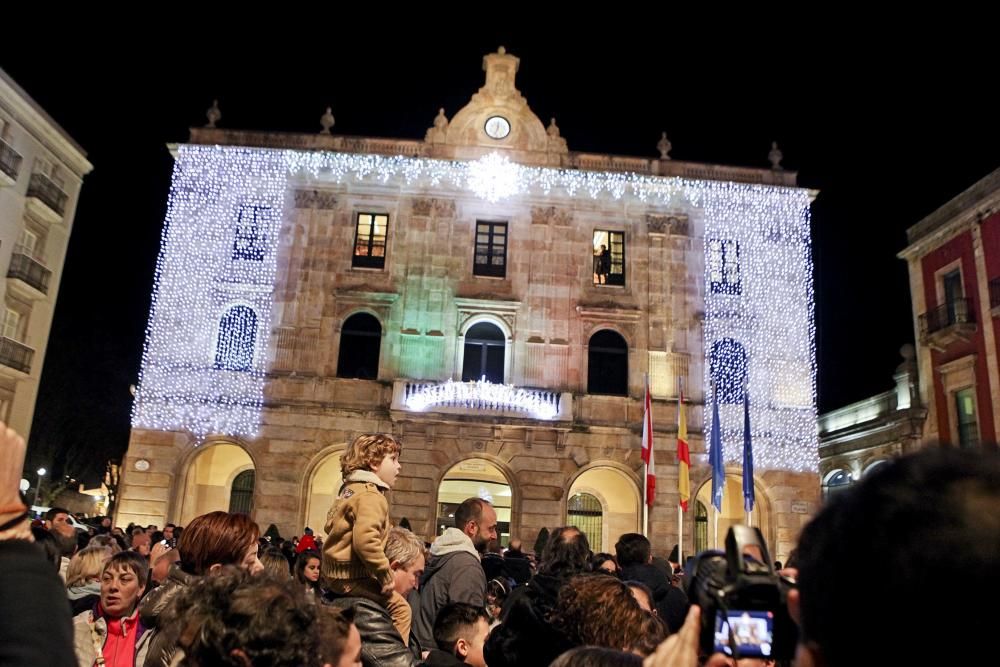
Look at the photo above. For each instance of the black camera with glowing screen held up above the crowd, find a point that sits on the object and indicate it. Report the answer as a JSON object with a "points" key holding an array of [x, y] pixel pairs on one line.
{"points": [[744, 609]]}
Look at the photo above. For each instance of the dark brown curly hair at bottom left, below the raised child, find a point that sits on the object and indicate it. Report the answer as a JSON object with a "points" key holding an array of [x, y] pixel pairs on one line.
{"points": [[236, 619]]}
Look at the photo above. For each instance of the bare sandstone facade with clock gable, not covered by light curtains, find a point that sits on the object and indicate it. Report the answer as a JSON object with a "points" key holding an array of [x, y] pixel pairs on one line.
{"points": [[427, 296]]}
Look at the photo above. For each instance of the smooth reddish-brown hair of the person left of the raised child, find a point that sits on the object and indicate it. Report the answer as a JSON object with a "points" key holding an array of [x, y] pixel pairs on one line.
{"points": [[216, 537]]}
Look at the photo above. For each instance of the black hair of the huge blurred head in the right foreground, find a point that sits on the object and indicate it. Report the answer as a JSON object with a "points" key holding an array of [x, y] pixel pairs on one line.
{"points": [[910, 520]]}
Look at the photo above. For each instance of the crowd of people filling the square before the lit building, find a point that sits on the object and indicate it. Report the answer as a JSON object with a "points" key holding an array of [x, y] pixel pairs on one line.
{"points": [[217, 592]]}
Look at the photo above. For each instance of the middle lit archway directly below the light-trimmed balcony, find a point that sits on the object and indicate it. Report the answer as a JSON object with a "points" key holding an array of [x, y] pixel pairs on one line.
{"points": [[479, 478]]}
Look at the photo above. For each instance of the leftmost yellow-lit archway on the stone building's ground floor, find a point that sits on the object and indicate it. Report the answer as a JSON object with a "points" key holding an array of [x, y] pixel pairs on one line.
{"points": [[216, 477]]}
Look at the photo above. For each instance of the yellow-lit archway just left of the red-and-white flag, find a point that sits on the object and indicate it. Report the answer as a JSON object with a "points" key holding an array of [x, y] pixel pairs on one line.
{"points": [[618, 505]]}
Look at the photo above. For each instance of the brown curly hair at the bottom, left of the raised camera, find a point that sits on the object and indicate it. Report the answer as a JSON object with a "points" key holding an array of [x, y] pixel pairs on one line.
{"points": [[600, 610]]}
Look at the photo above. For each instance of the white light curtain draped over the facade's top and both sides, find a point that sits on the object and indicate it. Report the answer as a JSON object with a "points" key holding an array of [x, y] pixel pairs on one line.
{"points": [[198, 280]]}
